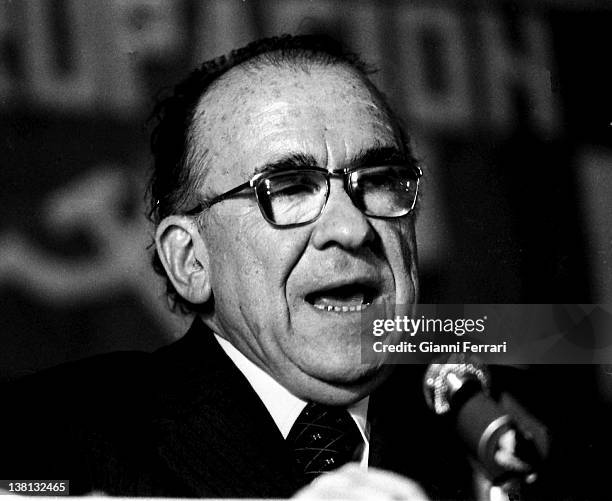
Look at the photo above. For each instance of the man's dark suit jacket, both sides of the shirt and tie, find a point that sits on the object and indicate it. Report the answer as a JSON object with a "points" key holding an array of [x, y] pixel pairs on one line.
{"points": [[184, 421]]}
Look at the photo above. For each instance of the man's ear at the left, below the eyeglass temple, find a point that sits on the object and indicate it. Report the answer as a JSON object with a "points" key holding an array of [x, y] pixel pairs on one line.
{"points": [[184, 255]]}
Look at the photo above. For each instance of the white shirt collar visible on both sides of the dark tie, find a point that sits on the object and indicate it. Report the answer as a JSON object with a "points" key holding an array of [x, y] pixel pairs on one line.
{"points": [[283, 406]]}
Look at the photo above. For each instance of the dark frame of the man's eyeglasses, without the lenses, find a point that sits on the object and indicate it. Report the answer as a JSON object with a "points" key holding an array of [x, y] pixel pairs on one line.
{"points": [[344, 173]]}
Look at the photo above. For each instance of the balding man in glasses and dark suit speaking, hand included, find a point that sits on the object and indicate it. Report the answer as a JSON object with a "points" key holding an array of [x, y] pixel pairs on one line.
{"points": [[283, 194]]}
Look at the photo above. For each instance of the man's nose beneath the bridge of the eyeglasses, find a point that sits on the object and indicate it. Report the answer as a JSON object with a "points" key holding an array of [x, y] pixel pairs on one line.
{"points": [[341, 223]]}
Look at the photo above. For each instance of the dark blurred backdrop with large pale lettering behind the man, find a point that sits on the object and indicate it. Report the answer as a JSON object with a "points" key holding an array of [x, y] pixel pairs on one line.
{"points": [[508, 104]]}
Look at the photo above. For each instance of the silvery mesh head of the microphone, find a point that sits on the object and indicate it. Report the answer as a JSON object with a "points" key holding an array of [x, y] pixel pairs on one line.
{"points": [[444, 379]]}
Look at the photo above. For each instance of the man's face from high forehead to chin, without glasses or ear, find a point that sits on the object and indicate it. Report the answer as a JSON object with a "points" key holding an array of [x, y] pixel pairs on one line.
{"points": [[272, 287]]}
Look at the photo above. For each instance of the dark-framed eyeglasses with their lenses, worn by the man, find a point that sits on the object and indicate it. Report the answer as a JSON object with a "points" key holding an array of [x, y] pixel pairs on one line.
{"points": [[297, 197]]}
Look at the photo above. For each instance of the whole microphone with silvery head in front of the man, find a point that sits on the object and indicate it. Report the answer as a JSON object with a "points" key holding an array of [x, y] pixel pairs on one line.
{"points": [[460, 390]]}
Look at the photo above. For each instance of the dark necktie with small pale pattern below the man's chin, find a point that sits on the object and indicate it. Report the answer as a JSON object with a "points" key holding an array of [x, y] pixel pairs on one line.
{"points": [[323, 438]]}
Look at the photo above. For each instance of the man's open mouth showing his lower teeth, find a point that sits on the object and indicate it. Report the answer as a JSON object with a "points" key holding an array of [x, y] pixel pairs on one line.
{"points": [[344, 298]]}
